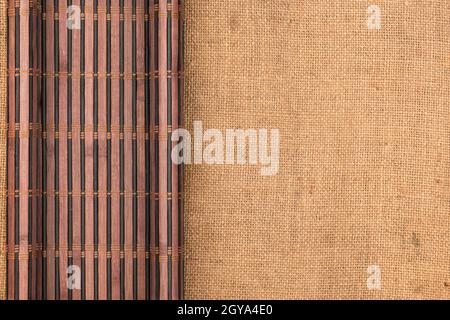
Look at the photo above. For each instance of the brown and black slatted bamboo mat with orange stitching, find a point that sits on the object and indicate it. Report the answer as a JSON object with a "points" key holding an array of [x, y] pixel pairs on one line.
{"points": [[94, 199]]}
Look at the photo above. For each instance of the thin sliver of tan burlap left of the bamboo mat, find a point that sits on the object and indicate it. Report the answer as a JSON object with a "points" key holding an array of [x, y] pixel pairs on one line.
{"points": [[3, 133]]}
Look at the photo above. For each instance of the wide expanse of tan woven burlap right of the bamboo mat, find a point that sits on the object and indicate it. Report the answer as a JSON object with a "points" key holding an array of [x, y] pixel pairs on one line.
{"points": [[364, 174]]}
